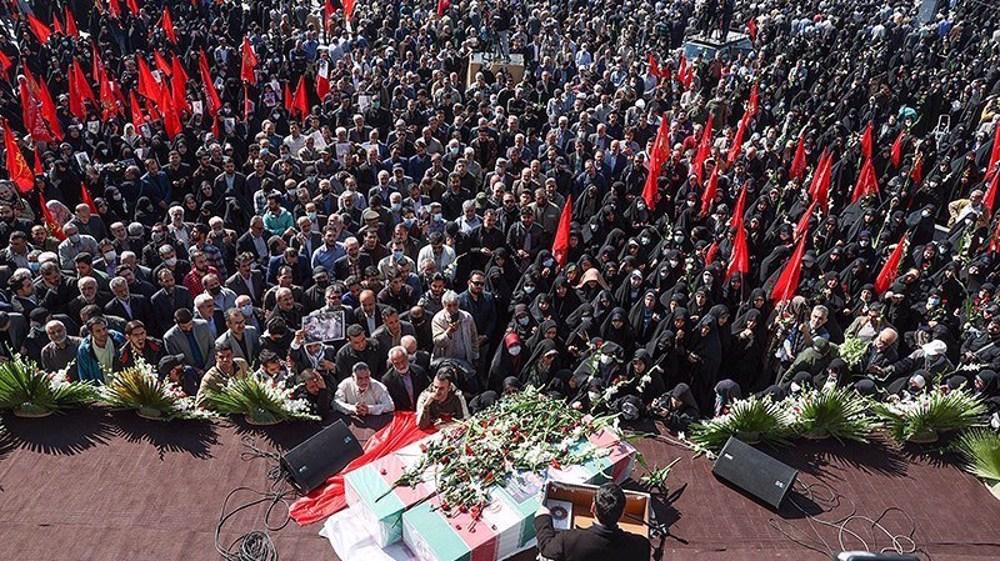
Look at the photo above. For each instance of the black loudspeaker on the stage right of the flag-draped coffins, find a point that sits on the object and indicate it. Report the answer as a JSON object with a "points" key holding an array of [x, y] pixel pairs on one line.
{"points": [[754, 472]]}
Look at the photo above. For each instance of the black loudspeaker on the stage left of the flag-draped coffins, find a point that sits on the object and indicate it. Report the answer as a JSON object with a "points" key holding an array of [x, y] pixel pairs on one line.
{"points": [[325, 453]]}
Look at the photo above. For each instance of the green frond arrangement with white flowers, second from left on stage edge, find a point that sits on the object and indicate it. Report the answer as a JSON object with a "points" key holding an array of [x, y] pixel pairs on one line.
{"points": [[138, 388]]}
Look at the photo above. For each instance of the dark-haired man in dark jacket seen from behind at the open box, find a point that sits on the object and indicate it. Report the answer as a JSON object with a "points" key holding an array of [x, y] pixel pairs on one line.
{"points": [[602, 541]]}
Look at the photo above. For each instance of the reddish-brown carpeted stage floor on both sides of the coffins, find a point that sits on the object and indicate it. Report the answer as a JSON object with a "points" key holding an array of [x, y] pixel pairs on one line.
{"points": [[98, 486]]}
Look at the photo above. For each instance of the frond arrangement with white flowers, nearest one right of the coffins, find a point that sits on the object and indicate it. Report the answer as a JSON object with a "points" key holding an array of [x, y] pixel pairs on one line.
{"points": [[751, 420]]}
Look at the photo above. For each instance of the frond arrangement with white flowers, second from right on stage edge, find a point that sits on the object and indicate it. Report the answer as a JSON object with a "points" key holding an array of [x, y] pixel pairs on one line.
{"points": [[923, 418]]}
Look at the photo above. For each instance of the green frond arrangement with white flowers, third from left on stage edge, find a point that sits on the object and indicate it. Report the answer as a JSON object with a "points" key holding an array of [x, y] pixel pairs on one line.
{"points": [[259, 402]]}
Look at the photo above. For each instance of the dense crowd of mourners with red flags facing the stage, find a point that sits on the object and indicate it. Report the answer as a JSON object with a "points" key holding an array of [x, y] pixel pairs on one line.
{"points": [[317, 164]]}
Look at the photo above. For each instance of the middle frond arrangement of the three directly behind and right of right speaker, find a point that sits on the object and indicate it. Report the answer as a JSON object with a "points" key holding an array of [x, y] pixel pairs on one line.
{"points": [[835, 412]]}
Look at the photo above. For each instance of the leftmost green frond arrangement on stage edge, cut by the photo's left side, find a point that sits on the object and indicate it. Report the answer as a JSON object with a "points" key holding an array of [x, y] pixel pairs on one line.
{"points": [[27, 391]]}
